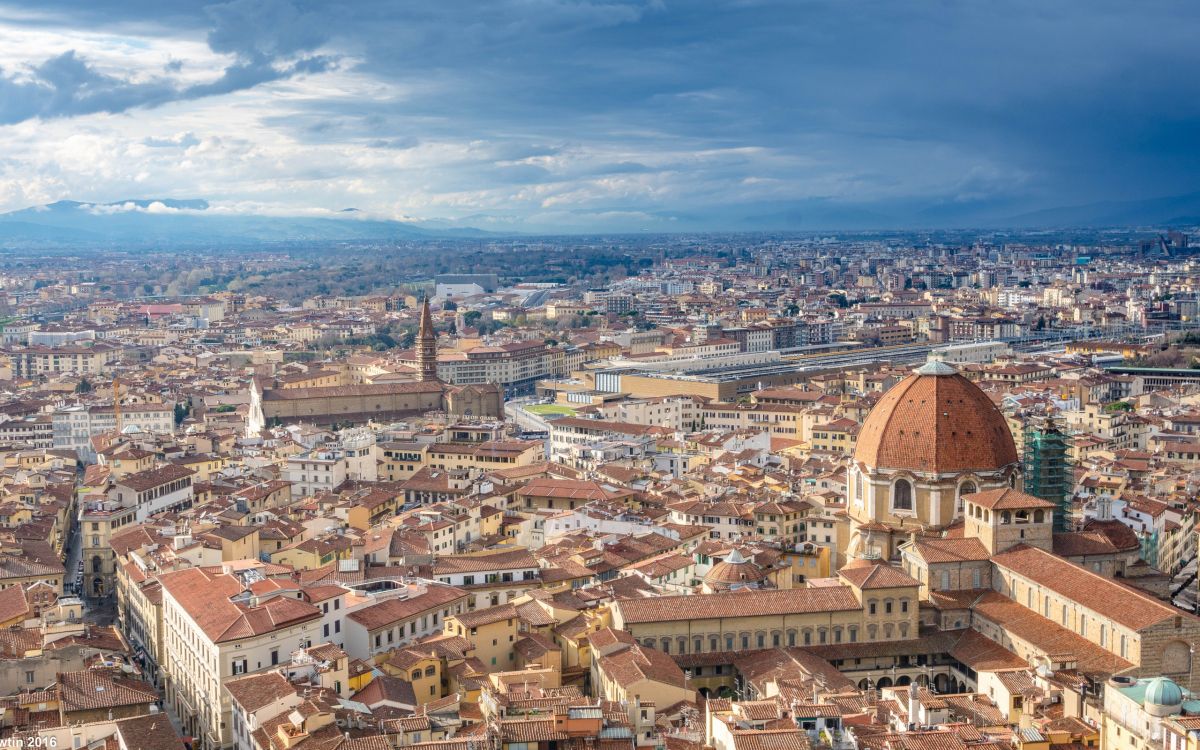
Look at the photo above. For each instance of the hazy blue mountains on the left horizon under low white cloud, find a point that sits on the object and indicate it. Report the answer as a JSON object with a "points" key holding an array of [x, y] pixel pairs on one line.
{"points": [[149, 223]]}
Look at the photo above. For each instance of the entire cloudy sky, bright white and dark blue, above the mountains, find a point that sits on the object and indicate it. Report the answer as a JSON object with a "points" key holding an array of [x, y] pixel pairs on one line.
{"points": [[604, 115]]}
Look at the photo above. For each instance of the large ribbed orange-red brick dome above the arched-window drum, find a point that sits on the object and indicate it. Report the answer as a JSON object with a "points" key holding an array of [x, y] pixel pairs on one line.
{"points": [[935, 422]]}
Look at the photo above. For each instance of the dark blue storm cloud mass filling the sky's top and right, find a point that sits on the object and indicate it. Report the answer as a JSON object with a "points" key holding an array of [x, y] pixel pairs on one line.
{"points": [[1019, 104]]}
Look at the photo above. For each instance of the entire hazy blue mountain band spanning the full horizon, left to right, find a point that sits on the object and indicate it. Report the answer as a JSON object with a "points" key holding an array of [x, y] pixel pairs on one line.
{"points": [[172, 223]]}
